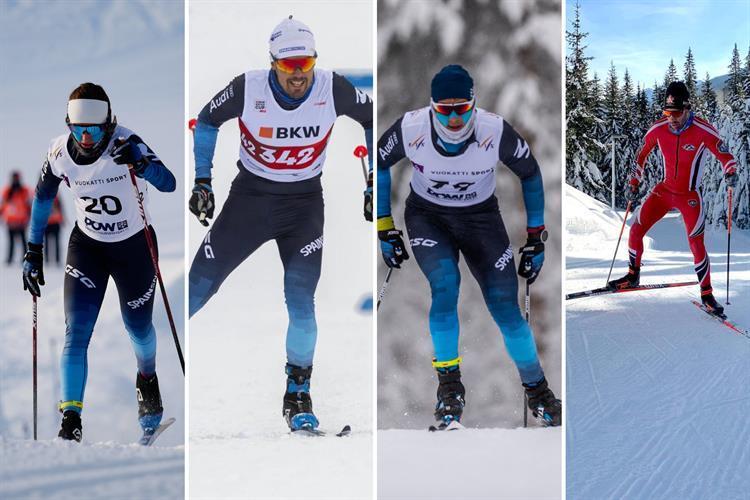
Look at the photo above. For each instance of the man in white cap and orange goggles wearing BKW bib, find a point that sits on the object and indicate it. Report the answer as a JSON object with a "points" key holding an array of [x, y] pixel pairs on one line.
{"points": [[285, 115]]}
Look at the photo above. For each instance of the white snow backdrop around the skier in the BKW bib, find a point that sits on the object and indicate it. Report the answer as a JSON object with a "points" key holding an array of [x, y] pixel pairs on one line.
{"points": [[239, 444]]}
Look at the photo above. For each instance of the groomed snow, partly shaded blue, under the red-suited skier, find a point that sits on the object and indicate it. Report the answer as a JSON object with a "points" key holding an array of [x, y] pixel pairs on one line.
{"points": [[657, 392]]}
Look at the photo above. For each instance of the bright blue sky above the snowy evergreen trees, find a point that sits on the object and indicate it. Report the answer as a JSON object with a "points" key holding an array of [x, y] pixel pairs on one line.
{"points": [[643, 36]]}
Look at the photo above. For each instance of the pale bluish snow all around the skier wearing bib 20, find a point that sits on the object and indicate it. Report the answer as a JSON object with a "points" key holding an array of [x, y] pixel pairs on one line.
{"points": [[107, 44]]}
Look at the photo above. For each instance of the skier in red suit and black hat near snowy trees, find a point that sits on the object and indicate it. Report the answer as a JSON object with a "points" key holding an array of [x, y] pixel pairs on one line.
{"points": [[683, 139]]}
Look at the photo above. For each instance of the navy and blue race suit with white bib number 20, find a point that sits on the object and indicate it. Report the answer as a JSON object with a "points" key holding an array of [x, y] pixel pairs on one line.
{"points": [[107, 241]]}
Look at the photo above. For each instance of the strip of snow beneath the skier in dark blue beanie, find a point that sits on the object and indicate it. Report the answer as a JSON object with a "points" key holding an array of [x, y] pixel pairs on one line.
{"points": [[470, 463]]}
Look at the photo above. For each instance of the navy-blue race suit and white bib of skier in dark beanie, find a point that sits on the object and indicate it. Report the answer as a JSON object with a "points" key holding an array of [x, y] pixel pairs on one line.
{"points": [[452, 211]]}
